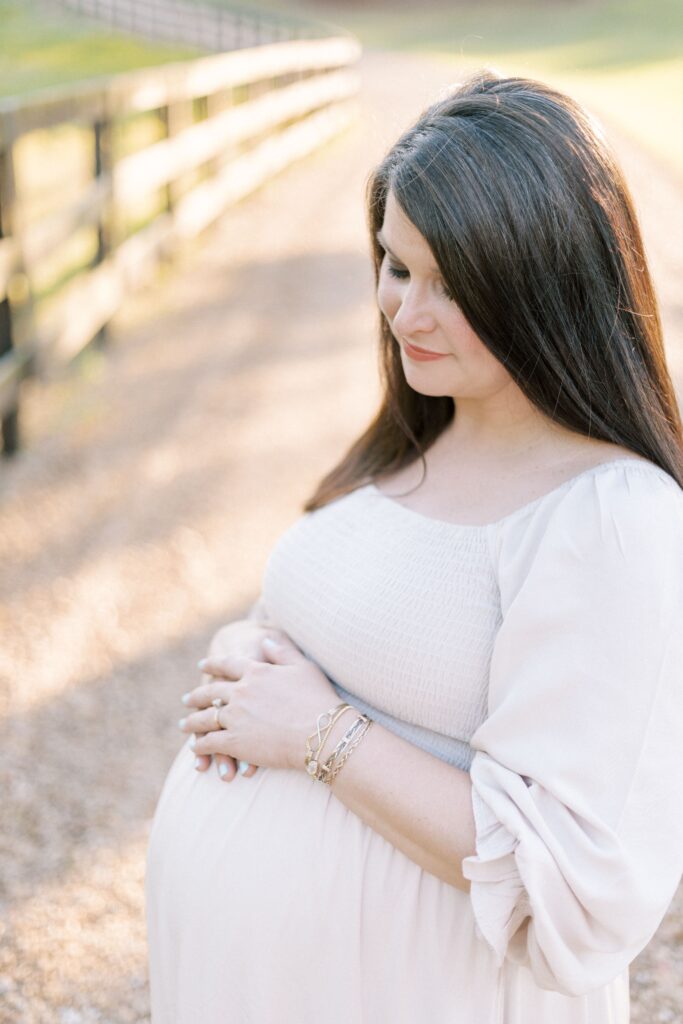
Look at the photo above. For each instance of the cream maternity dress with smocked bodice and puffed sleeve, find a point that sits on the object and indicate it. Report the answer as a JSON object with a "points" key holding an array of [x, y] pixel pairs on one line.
{"points": [[542, 653]]}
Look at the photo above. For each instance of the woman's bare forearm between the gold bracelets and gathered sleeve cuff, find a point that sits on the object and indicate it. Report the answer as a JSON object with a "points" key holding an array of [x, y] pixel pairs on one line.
{"points": [[419, 803]]}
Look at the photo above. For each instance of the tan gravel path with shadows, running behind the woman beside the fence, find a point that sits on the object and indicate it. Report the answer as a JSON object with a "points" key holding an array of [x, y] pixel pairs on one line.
{"points": [[141, 518]]}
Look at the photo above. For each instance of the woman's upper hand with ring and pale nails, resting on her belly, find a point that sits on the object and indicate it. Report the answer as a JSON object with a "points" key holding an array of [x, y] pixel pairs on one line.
{"points": [[271, 707]]}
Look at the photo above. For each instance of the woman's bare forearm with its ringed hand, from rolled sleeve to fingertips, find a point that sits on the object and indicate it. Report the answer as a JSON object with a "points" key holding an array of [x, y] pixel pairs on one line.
{"points": [[416, 801]]}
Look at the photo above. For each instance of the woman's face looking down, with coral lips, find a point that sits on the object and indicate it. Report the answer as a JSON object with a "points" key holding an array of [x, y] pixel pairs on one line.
{"points": [[412, 296]]}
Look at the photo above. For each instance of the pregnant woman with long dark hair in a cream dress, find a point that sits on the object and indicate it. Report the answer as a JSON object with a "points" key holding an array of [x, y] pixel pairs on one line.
{"points": [[464, 795]]}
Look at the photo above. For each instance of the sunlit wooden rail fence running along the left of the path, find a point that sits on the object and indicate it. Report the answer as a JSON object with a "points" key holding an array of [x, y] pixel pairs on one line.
{"points": [[230, 122]]}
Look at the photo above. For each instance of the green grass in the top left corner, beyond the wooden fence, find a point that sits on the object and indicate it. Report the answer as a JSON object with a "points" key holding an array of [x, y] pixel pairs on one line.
{"points": [[41, 48]]}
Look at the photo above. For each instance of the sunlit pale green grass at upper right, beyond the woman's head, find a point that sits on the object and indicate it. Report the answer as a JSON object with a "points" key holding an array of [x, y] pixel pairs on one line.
{"points": [[623, 59]]}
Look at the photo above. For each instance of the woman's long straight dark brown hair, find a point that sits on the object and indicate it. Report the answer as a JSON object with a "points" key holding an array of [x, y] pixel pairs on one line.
{"points": [[535, 234]]}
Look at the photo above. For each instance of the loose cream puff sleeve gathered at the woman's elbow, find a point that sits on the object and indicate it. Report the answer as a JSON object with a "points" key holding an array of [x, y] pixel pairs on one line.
{"points": [[578, 772]]}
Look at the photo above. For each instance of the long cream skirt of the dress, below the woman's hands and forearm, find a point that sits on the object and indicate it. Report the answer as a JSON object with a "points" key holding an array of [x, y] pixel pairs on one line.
{"points": [[270, 903]]}
